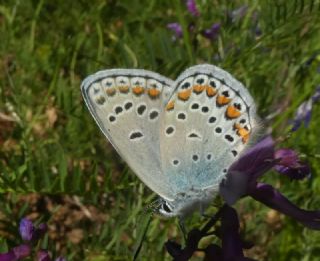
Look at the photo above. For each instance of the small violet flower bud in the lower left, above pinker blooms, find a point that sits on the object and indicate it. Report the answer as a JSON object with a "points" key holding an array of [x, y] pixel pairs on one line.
{"points": [[29, 232]]}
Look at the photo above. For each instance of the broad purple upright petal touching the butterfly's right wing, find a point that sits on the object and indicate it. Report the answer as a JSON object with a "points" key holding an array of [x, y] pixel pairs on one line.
{"points": [[244, 172]]}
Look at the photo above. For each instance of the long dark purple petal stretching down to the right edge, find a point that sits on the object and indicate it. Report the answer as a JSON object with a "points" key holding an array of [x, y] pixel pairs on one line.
{"points": [[269, 196]]}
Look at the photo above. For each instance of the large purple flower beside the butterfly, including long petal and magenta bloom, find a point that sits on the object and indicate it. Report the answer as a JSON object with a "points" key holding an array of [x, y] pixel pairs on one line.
{"points": [[242, 180]]}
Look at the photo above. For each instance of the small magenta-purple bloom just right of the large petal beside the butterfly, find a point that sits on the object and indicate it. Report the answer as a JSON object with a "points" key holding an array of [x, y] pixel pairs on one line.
{"points": [[290, 165]]}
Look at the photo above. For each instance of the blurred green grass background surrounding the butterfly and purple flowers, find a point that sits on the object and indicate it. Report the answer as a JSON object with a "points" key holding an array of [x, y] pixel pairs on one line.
{"points": [[46, 50]]}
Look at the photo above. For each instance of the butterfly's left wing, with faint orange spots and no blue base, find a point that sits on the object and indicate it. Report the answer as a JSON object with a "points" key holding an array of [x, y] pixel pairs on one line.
{"points": [[127, 105]]}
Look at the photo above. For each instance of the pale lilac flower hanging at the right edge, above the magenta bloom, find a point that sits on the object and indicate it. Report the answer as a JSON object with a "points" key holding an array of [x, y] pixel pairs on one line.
{"points": [[303, 113]]}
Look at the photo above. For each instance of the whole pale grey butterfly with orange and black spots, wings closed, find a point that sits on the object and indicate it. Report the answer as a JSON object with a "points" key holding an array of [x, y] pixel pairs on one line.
{"points": [[179, 137]]}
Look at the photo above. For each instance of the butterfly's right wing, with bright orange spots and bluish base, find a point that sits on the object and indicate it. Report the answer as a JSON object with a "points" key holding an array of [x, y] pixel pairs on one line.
{"points": [[207, 123]]}
